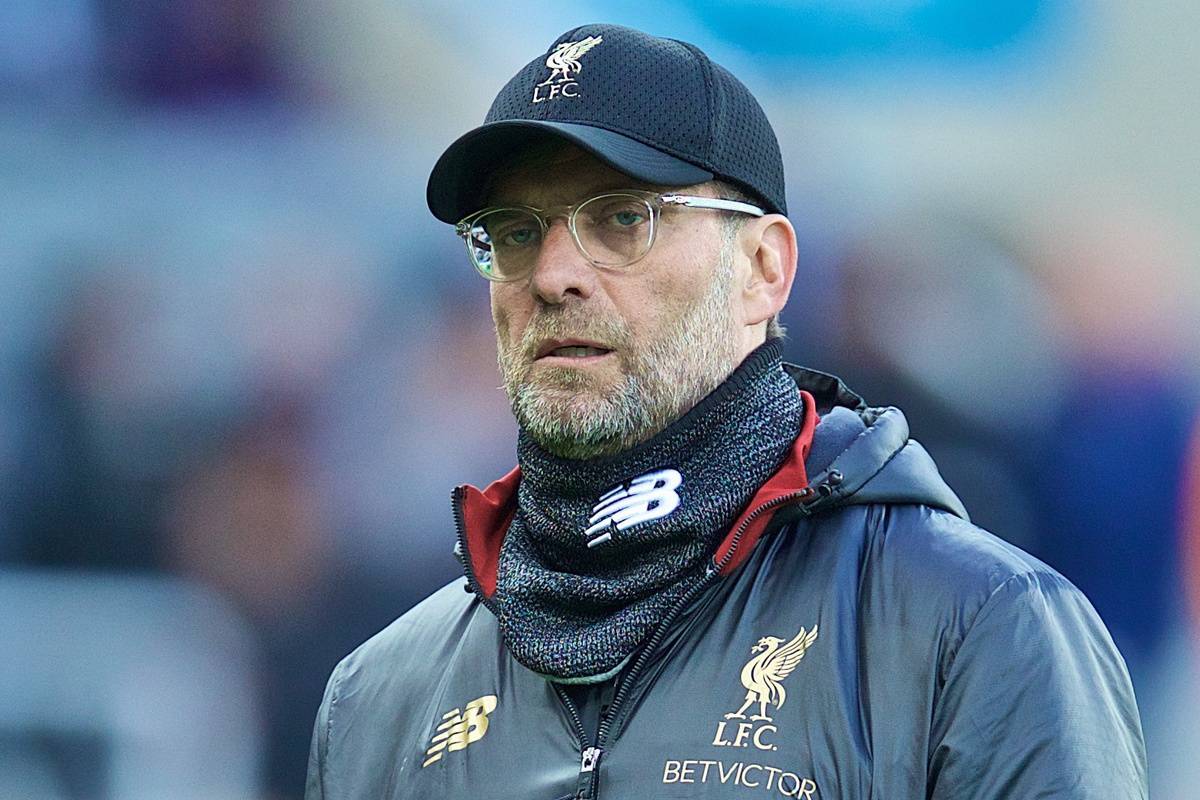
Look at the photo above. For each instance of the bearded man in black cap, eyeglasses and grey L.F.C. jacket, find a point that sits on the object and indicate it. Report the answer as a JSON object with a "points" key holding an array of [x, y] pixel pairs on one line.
{"points": [[712, 575]]}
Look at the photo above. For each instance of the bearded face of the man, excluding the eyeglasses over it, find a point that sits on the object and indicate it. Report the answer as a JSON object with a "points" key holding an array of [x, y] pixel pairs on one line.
{"points": [[597, 360]]}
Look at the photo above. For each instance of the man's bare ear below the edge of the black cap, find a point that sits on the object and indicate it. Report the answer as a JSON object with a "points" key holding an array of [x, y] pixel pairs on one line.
{"points": [[770, 244]]}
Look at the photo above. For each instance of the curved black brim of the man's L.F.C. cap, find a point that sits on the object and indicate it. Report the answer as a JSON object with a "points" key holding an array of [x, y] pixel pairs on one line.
{"points": [[460, 178]]}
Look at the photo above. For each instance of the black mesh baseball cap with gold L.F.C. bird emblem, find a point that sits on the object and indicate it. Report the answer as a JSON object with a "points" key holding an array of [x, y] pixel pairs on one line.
{"points": [[657, 110]]}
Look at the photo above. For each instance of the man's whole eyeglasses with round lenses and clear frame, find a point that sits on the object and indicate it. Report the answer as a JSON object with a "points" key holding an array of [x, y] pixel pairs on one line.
{"points": [[613, 231]]}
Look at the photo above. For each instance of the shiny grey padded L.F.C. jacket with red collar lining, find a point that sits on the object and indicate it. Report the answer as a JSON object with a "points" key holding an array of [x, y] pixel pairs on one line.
{"points": [[859, 639]]}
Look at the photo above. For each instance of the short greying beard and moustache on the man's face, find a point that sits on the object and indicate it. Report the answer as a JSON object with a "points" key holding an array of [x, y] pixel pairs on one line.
{"points": [[663, 381]]}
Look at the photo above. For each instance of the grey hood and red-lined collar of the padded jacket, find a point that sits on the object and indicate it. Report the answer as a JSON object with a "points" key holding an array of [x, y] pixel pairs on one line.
{"points": [[848, 454]]}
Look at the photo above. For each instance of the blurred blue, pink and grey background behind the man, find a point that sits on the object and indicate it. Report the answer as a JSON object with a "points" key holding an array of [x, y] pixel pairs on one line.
{"points": [[242, 368]]}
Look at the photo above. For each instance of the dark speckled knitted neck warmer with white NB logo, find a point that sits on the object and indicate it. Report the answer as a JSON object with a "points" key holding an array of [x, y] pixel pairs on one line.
{"points": [[652, 515]]}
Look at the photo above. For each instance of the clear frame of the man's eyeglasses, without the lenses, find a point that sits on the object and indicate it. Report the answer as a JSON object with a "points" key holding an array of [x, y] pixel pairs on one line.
{"points": [[481, 249]]}
